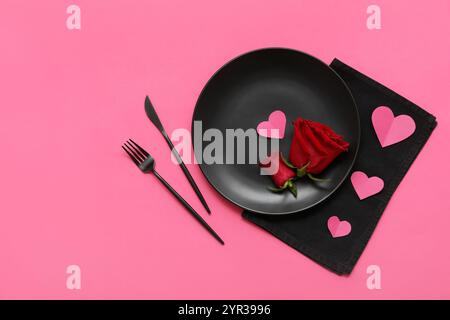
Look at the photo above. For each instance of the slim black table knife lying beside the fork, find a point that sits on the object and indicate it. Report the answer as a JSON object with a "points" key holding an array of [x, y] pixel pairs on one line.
{"points": [[151, 113]]}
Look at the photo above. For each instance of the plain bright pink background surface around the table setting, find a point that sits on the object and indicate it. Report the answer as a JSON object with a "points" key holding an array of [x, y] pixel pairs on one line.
{"points": [[69, 195]]}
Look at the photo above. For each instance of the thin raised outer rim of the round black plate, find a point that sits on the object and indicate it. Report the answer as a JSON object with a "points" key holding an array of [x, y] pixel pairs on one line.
{"points": [[354, 106]]}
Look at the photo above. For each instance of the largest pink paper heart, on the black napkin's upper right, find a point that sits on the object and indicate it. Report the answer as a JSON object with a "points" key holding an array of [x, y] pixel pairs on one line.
{"points": [[390, 129]]}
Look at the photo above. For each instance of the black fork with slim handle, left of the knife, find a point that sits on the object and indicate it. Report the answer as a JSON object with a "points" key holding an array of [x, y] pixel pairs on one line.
{"points": [[145, 162]]}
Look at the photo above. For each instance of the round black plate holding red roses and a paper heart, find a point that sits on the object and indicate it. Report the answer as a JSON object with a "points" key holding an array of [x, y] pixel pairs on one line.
{"points": [[245, 91]]}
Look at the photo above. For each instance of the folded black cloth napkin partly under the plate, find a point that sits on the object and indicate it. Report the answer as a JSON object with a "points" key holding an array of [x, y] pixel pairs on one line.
{"points": [[307, 232]]}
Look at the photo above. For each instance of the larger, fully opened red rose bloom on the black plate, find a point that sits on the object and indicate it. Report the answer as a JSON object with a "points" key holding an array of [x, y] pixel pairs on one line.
{"points": [[314, 146]]}
